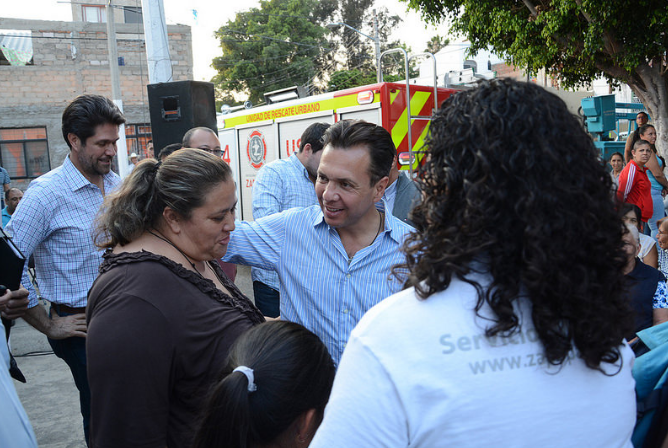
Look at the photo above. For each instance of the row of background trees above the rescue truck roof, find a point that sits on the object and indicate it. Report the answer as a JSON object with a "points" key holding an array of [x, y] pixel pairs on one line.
{"points": [[283, 43]]}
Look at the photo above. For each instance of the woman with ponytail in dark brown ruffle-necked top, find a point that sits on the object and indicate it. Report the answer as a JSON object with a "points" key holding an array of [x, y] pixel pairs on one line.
{"points": [[162, 315]]}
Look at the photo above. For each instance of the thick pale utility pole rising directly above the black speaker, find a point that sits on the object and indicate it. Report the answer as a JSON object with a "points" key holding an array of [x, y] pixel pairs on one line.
{"points": [[157, 45]]}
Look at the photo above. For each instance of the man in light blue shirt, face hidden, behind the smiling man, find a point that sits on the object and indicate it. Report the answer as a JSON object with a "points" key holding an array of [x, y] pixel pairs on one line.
{"points": [[281, 185]]}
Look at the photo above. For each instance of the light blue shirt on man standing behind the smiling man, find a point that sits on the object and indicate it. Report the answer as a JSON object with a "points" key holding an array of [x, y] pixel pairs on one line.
{"points": [[281, 185]]}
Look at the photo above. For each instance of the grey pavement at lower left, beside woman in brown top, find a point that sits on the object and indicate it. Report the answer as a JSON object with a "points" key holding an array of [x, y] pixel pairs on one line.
{"points": [[50, 397]]}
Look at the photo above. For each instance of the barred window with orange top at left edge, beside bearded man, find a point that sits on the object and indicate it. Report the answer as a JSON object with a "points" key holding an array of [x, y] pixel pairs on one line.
{"points": [[24, 152]]}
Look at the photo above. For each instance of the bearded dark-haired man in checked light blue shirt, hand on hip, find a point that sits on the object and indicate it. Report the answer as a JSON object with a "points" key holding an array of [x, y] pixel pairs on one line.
{"points": [[55, 223]]}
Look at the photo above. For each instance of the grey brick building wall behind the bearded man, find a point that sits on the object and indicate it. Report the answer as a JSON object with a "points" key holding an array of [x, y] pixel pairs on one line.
{"points": [[70, 59]]}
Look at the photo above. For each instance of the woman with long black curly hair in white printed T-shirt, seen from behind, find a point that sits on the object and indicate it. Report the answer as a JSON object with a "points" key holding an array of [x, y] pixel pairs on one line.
{"points": [[511, 332]]}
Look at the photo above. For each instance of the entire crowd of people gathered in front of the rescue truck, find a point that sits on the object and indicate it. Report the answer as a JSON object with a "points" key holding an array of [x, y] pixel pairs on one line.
{"points": [[487, 301]]}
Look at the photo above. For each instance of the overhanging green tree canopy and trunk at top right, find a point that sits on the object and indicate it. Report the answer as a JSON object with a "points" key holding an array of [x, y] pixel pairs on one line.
{"points": [[576, 40]]}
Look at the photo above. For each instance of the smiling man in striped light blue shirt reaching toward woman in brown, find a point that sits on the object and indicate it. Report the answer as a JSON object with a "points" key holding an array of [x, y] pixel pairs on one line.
{"points": [[334, 261]]}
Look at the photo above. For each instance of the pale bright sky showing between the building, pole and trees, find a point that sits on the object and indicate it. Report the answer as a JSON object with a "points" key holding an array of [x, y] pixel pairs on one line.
{"points": [[211, 15]]}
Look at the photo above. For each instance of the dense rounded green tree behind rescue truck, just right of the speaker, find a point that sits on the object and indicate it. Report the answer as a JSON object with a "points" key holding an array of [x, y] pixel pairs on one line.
{"points": [[278, 45]]}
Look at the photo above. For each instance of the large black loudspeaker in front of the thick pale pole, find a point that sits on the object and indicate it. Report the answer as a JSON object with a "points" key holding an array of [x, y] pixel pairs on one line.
{"points": [[177, 107]]}
